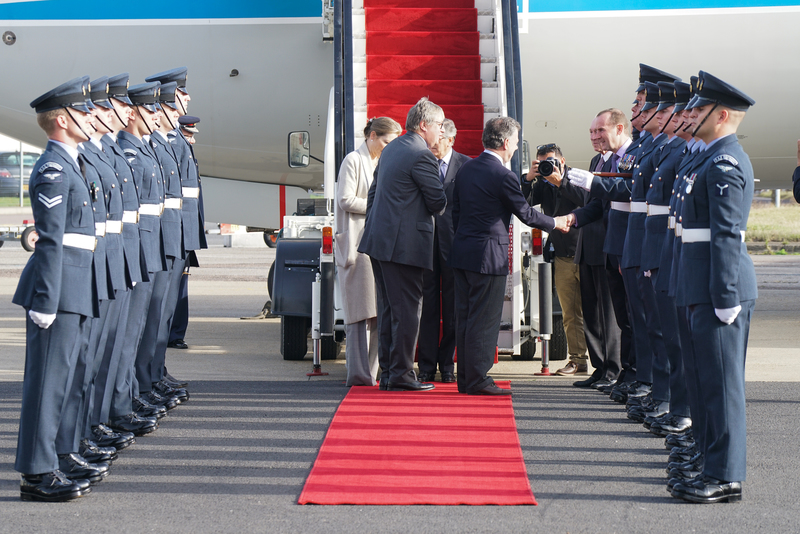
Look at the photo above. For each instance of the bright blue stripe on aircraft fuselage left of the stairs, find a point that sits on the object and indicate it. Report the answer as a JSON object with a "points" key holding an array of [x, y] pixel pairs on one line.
{"points": [[158, 9]]}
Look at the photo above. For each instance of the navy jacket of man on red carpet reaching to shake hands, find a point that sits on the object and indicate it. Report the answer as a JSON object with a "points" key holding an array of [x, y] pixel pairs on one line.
{"points": [[485, 196]]}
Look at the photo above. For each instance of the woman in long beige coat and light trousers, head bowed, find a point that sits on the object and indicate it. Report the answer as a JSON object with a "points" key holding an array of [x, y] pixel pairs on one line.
{"points": [[356, 280]]}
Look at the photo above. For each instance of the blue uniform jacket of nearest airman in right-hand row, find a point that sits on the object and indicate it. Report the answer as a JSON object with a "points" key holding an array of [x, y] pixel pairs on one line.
{"points": [[719, 272]]}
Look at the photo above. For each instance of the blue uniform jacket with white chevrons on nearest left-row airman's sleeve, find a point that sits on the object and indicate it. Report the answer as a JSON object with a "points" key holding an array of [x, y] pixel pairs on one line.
{"points": [[57, 277]]}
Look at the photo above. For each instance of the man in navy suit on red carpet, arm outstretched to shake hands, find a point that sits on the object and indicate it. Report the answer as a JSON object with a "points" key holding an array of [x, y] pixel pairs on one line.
{"points": [[485, 196]]}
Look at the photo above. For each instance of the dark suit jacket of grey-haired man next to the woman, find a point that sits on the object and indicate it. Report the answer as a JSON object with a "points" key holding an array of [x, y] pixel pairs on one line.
{"points": [[402, 200]]}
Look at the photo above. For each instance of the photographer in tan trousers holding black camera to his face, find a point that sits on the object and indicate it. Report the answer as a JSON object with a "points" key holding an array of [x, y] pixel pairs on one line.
{"points": [[543, 185]]}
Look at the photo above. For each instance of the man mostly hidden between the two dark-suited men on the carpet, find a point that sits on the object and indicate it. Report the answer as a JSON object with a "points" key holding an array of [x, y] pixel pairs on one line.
{"points": [[432, 349]]}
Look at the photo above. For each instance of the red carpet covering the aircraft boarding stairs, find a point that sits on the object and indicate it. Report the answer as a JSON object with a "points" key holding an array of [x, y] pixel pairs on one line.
{"points": [[430, 48]]}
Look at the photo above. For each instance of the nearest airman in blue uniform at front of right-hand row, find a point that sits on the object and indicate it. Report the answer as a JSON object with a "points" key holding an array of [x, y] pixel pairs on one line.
{"points": [[719, 284]]}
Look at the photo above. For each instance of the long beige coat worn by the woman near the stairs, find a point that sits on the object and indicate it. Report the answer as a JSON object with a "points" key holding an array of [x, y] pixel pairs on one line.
{"points": [[356, 280]]}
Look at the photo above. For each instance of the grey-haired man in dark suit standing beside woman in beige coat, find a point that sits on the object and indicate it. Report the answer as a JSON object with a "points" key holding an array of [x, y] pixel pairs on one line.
{"points": [[398, 237]]}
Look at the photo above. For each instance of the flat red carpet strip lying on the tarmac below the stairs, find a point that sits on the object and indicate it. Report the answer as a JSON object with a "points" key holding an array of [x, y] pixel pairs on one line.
{"points": [[436, 447]]}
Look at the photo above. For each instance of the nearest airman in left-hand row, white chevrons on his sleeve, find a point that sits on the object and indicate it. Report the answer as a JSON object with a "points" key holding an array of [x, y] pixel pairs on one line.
{"points": [[57, 290]]}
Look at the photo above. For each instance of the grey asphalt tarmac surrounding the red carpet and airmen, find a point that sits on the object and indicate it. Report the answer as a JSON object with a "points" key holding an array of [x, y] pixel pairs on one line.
{"points": [[235, 457]]}
